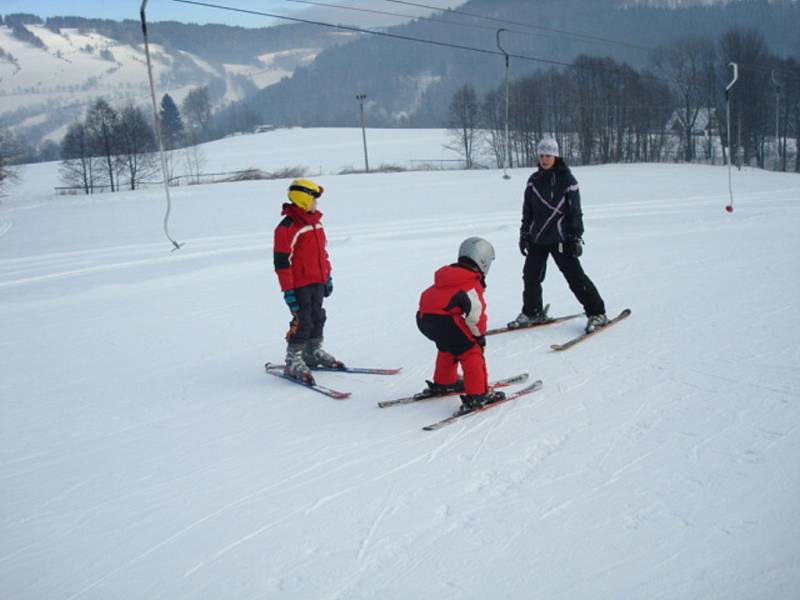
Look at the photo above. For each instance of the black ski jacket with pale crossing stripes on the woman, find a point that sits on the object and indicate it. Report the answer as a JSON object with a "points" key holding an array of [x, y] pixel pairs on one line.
{"points": [[551, 211]]}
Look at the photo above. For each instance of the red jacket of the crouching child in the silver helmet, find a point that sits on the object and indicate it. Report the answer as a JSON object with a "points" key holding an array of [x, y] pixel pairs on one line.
{"points": [[457, 291]]}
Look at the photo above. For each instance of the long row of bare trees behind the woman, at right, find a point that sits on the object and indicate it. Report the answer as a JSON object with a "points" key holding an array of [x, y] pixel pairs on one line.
{"points": [[602, 111]]}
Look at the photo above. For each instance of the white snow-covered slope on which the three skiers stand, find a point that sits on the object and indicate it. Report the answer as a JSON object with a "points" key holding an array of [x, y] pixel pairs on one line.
{"points": [[145, 454]]}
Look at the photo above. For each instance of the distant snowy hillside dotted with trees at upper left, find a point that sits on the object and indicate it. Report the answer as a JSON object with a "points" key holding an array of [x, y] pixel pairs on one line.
{"points": [[76, 66]]}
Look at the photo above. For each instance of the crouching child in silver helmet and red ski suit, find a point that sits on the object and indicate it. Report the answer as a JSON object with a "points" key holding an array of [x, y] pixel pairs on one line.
{"points": [[452, 313]]}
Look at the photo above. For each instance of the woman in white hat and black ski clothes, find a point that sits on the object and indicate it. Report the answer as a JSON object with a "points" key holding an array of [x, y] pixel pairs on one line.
{"points": [[552, 224]]}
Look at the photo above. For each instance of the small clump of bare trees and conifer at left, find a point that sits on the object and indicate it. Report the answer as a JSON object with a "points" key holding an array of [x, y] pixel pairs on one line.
{"points": [[113, 149]]}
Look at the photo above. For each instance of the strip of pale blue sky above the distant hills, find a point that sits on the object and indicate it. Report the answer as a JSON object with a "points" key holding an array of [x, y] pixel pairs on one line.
{"points": [[164, 10]]}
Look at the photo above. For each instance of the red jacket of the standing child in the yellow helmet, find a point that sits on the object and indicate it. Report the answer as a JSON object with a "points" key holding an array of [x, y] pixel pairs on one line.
{"points": [[299, 249]]}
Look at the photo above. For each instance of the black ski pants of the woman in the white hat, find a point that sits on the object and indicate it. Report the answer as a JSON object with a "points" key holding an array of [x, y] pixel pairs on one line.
{"points": [[570, 266]]}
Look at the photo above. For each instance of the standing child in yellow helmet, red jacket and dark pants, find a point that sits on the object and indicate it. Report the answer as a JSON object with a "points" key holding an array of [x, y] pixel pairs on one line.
{"points": [[304, 274]]}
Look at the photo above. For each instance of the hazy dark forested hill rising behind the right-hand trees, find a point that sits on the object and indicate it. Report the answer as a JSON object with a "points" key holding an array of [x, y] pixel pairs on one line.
{"points": [[411, 83]]}
